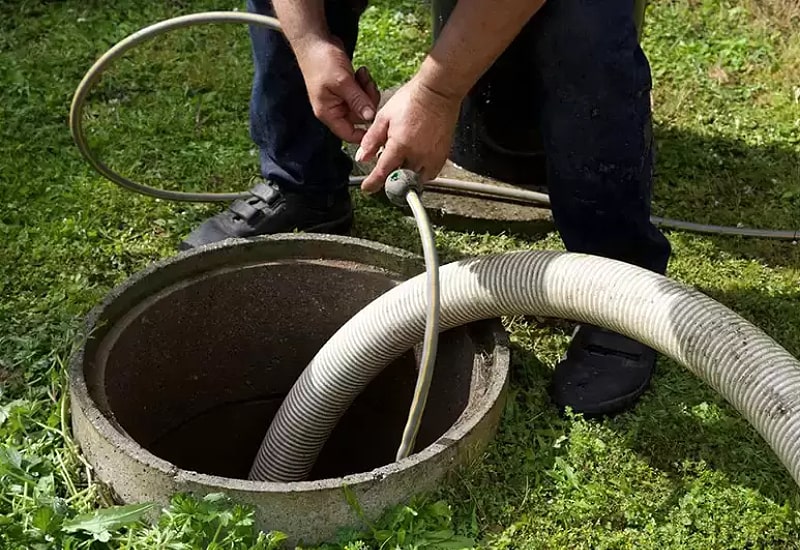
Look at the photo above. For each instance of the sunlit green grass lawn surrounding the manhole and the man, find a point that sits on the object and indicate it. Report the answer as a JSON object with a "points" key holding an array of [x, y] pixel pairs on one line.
{"points": [[682, 470]]}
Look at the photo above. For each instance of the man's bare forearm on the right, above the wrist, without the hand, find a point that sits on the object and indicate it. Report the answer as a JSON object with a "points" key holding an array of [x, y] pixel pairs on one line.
{"points": [[475, 35]]}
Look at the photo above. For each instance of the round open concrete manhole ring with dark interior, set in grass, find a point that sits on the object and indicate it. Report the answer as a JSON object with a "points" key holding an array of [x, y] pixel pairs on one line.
{"points": [[187, 362]]}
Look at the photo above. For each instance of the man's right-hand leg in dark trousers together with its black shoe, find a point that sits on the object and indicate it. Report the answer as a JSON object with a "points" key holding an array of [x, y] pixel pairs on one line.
{"points": [[593, 88]]}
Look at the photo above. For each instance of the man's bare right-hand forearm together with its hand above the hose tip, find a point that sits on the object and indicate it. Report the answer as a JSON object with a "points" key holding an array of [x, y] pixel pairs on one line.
{"points": [[415, 128]]}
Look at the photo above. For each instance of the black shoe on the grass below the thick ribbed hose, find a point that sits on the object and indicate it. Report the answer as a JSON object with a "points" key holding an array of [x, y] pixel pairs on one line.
{"points": [[603, 372]]}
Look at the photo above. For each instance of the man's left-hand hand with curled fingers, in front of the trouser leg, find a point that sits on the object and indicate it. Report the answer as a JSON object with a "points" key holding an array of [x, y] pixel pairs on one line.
{"points": [[341, 98]]}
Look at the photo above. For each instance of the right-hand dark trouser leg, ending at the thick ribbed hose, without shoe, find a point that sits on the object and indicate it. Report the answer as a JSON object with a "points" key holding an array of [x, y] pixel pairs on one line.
{"points": [[596, 124]]}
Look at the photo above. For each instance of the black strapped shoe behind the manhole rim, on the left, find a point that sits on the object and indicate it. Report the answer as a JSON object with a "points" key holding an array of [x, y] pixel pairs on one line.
{"points": [[270, 210]]}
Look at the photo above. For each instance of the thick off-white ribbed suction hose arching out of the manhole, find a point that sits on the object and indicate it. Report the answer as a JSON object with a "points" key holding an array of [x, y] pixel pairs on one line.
{"points": [[748, 368]]}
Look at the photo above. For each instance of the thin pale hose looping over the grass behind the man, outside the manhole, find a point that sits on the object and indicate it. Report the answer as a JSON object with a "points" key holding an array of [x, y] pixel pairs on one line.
{"points": [[492, 192]]}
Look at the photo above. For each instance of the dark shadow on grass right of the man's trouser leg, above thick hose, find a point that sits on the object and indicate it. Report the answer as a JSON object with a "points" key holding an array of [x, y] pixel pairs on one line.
{"points": [[722, 181]]}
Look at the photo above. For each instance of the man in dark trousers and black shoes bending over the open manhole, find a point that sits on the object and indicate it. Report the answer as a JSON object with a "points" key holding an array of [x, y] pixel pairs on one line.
{"points": [[595, 84]]}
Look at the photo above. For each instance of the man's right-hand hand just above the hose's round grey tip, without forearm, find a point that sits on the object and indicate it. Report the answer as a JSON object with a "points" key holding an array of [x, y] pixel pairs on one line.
{"points": [[415, 129]]}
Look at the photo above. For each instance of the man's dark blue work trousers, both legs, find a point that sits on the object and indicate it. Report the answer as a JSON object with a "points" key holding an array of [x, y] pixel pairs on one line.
{"points": [[595, 110]]}
